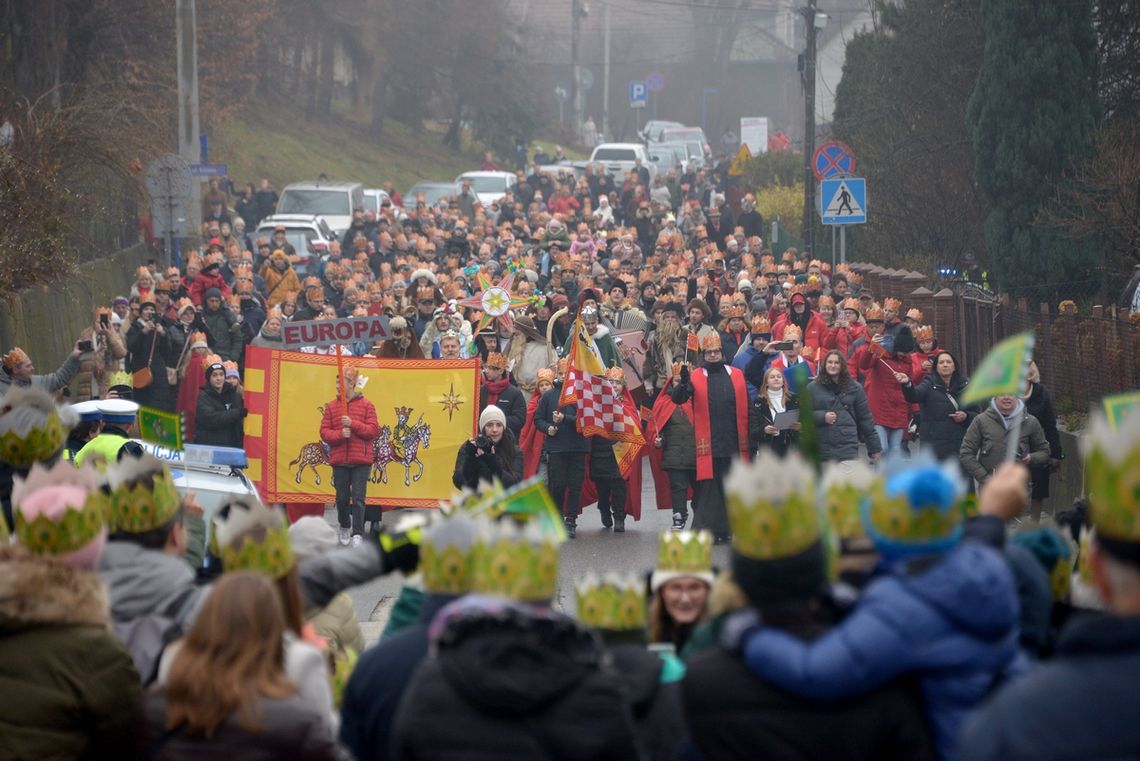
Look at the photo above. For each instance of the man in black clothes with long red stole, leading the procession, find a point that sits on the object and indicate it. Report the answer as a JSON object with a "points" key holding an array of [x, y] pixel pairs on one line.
{"points": [[721, 424]]}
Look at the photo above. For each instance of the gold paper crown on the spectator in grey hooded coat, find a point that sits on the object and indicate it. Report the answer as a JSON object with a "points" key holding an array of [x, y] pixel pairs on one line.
{"points": [[143, 495]]}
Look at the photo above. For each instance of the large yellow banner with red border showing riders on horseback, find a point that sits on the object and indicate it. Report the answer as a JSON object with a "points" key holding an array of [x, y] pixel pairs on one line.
{"points": [[426, 410]]}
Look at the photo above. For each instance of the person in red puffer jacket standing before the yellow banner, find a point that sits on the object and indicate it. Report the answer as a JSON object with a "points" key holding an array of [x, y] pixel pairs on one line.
{"points": [[349, 431]]}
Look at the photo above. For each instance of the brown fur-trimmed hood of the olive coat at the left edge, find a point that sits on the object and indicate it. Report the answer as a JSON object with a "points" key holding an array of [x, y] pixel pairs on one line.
{"points": [[38, 592]]}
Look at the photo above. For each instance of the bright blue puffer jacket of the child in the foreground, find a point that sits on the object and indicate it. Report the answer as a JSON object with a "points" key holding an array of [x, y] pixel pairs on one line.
{"points": [[955, 626]]}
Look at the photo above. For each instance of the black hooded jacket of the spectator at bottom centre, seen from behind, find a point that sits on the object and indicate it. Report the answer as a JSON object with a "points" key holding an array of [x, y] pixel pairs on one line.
{"points": [[509, 684]]}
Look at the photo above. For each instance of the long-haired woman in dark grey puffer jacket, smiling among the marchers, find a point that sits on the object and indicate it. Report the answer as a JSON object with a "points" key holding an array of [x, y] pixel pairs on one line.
{"points": [[842, 413]]}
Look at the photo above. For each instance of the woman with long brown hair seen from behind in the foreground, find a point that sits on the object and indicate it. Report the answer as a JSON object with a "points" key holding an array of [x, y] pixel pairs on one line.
{"points": [[227, 694]]}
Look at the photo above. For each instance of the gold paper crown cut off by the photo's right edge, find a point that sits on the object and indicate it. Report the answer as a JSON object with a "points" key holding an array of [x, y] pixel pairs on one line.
{"points": [[1112, 478]]}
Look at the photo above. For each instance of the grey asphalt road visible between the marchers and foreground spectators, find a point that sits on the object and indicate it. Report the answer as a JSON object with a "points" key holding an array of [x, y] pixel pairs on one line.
{"points": [[596, 550]]}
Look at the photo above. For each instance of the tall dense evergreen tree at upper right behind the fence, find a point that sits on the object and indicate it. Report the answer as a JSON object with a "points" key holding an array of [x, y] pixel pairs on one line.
{"points": [[1032, 114]]}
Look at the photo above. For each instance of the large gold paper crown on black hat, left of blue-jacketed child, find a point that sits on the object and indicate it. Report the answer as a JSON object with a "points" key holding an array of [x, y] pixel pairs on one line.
{"points": [[772, 506]]}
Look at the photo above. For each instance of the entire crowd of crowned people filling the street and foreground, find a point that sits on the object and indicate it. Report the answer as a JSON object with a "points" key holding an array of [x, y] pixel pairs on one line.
{"points": [[873, 609]]}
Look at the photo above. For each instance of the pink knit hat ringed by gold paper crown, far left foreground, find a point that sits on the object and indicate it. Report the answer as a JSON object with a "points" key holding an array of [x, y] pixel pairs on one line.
{"points": [[62, 512]]}
